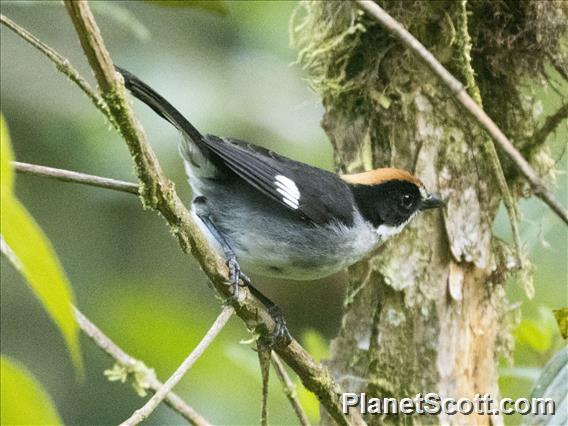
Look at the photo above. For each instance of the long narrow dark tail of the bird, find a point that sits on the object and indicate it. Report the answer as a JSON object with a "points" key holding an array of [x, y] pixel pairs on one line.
{"points": [[162, 107]]}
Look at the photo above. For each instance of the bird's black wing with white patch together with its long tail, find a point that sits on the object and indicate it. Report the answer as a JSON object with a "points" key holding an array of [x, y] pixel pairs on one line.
{"points": [[314, 194]]}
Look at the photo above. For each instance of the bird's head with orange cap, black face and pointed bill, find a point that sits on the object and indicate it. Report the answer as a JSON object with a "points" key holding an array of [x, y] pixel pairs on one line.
{"points": [[389, 198]]}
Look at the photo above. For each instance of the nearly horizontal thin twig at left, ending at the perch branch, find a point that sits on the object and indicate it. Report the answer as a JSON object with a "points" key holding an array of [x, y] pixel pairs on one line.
{"points": [[75, 177]]}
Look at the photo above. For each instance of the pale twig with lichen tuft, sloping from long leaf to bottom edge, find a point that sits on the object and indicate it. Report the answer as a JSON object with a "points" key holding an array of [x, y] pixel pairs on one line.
{"points": [[107, 345]]}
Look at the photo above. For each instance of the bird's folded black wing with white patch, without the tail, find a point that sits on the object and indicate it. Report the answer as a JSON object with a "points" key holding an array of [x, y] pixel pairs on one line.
{"points": [[314, 194]]}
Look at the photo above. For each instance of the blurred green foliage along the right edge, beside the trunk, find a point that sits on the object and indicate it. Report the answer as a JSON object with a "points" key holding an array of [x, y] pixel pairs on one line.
{"points": [[537, 336]]}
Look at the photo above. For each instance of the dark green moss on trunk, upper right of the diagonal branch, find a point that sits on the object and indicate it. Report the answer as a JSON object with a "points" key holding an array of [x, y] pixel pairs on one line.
{"points": [[514, 41]]}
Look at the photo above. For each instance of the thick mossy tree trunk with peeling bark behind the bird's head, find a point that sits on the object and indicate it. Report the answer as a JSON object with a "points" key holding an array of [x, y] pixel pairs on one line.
{"points": [[428, 312]]}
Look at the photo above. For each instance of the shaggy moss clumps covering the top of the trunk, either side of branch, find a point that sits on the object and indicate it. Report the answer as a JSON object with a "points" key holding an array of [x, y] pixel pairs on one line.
{"points": [[348, 57]]}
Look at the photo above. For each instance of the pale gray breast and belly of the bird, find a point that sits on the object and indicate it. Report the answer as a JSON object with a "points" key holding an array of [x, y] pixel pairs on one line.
{"points": [[272, 241]]}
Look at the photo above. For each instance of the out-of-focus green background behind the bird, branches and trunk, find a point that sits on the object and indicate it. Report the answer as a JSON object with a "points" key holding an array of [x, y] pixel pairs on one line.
{"points": [[231, 75]]}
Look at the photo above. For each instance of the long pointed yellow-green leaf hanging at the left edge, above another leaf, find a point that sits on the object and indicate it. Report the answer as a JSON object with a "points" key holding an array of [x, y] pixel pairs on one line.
{"points": [[30, 250]]}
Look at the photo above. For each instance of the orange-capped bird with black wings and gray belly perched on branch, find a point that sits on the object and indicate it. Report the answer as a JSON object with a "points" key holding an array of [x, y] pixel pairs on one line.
{"points": [[274, 216]]}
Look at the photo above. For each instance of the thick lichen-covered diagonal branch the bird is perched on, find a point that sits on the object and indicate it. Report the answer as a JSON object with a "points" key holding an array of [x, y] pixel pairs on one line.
{"points": [[157, 192]]}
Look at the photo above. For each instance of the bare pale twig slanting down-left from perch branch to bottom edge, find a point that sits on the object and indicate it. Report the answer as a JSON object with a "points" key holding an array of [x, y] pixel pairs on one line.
{"points": [[153, 402]]}
